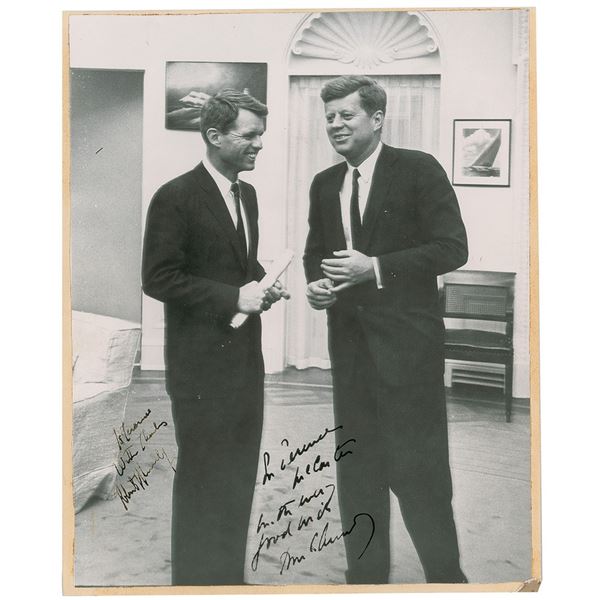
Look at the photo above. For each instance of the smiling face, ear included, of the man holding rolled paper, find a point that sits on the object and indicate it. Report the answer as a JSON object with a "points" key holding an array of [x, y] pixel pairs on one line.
{"points": [[236, 150]]}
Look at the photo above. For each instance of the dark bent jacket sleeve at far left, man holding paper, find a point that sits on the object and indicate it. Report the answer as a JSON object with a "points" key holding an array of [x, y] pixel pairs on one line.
{"points": [[165, 275]]}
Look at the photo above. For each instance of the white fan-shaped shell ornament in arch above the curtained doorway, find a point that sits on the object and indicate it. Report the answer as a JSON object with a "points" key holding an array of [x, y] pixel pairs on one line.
{"points": [[365, 39]]}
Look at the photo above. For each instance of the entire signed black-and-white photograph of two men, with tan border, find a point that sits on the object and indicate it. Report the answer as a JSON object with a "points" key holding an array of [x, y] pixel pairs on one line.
{"points": [[303, 345]]}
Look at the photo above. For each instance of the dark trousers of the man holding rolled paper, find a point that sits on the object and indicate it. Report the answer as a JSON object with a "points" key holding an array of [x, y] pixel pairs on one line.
{"points": [[218, 442]]}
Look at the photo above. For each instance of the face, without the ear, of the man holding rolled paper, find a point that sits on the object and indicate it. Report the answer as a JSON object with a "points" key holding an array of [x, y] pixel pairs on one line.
{"points": [[240, 145]]}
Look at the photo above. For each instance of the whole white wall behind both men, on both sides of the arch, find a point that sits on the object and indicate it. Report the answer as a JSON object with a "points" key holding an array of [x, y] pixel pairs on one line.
{"points": [[478, 81]]}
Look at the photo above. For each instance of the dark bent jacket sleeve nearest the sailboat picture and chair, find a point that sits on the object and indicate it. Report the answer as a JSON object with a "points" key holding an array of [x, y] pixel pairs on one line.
{"points": [[443, 243]]}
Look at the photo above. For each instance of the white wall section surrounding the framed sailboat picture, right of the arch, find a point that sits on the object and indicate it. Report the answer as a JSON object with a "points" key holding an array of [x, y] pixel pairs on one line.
{"points": [[478, 82]]}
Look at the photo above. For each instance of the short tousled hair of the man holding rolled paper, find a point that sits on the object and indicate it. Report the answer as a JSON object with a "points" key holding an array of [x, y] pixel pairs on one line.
{"points": [[221, 110]]}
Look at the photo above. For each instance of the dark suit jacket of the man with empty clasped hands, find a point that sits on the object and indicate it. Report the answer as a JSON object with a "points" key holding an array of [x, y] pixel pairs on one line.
{"points": [[412, 223]]}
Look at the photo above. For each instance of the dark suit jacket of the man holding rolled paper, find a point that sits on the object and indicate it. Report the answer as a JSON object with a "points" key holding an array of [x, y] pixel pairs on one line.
{"points": [[193, 262]]}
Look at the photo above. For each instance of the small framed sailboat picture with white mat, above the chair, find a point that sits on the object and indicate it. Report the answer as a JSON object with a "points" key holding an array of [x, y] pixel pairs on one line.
{"points": [[481, 152]]}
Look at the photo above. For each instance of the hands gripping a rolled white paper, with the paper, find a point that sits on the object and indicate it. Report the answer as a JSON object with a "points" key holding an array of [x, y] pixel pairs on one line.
{"points": [[258, 296]]}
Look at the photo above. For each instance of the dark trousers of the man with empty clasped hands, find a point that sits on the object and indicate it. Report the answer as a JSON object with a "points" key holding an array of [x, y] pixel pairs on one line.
{"points": [[402, 445]]}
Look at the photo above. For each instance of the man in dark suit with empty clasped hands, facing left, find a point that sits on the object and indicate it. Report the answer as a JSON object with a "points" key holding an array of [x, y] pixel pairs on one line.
{"points": [[382, 226]]}
